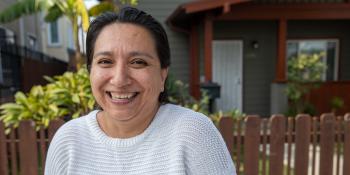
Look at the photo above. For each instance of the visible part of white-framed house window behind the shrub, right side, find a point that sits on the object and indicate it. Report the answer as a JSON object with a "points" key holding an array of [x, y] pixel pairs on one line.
{"points": [[329, 48]]}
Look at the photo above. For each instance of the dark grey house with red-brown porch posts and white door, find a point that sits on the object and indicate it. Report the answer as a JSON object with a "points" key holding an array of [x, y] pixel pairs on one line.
{"points": [[244, 45]]}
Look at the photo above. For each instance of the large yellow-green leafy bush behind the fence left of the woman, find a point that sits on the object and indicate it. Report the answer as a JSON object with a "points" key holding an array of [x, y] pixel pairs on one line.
{"points": [[66, 95]]}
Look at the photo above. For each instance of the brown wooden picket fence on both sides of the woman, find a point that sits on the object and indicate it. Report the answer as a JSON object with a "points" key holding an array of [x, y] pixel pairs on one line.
{"points": [[300, 145]]}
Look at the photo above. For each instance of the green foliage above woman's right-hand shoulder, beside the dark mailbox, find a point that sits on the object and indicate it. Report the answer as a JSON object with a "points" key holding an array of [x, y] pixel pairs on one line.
{"points": [[178, 94]]}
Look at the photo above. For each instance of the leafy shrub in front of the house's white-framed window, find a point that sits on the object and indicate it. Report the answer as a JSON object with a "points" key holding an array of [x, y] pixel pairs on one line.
{"points": [[304, 73]]}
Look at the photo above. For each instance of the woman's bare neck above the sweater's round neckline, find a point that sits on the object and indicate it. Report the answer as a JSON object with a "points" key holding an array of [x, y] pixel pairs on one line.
{"points": [[125, 129]]}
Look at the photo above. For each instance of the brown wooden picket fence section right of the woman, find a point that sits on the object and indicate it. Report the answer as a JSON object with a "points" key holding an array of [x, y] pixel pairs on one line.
{"points": [[301, 145]]}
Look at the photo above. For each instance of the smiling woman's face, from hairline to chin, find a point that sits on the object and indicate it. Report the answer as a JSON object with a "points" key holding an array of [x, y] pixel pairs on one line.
{"points": [[126, 76]]}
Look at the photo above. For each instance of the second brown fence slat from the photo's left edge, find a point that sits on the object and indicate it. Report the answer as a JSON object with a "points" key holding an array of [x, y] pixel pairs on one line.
{"points": [[28, 148]]}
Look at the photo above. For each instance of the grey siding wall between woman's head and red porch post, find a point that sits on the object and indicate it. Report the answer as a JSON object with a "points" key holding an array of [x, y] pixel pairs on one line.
{"points": [[179, 43]]}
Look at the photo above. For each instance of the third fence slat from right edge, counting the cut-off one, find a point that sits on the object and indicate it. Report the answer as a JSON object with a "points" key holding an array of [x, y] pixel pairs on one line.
{"points": [[302, 141]]}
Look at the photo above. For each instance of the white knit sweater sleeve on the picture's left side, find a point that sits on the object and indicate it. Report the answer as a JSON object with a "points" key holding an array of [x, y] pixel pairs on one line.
{"points": [[57, 155]]}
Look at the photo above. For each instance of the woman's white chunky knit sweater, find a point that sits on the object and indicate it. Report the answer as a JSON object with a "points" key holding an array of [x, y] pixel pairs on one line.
{"points": [[178, 141]]}
